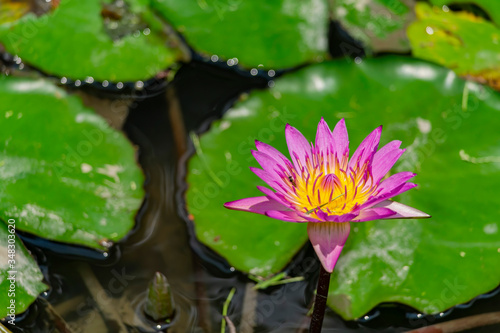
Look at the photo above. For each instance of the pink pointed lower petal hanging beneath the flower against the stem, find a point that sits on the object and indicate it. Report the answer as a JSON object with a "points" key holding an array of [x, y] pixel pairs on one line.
{"points": [[328, 239]]}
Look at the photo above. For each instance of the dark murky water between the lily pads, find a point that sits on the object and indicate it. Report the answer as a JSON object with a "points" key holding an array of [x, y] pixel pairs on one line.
{"points": [[86, 284]]}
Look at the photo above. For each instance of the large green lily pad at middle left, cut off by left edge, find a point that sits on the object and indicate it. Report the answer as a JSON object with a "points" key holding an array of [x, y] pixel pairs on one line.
{"points": [[65, 175]]}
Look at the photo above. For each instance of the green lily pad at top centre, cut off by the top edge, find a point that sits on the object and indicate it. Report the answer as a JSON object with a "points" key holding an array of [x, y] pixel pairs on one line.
{"points": [[274, 34]]}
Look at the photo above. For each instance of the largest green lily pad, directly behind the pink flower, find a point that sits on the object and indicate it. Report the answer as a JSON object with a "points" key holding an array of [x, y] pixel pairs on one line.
{"points": [[450, 129]]}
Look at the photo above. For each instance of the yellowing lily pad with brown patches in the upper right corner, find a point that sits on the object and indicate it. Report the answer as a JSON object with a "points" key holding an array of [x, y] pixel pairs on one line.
{"points": [[461, 41]]}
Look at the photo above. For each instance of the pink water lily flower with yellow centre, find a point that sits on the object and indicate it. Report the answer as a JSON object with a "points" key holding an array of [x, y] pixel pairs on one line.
{"points": [[325, 189]]}
